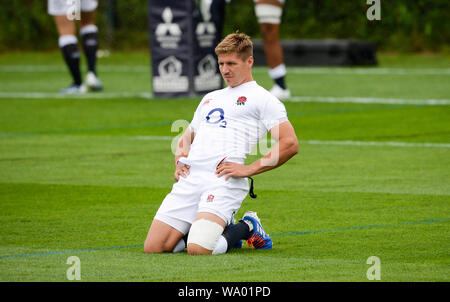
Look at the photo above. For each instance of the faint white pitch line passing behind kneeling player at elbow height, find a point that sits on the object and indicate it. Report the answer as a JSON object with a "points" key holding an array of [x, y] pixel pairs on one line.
{"points": [[325, 142]]}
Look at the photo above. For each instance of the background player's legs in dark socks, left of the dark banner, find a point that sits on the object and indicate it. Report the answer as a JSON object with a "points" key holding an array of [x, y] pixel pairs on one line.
{"points": [[64, 13]]}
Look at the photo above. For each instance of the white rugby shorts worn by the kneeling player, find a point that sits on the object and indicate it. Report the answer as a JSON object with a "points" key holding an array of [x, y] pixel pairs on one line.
{"points": [[202, 191]]}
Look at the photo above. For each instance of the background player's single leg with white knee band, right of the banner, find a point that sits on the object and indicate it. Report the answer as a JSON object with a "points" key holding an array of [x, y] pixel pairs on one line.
{"points": [[268, 13]]}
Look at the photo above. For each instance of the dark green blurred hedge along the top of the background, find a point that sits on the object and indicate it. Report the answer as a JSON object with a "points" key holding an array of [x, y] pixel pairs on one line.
{"points": [[405, 25]]}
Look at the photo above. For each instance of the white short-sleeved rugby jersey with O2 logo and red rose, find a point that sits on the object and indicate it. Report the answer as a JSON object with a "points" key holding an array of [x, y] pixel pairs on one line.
{"points": [[229, 122]]}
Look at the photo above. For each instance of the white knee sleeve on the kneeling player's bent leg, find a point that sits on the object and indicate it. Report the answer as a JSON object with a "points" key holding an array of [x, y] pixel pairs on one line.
{"points": [[205, 233]]}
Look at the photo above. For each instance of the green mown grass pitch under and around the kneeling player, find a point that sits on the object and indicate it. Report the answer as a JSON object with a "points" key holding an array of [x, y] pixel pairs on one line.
{"points": [[83, 176]]}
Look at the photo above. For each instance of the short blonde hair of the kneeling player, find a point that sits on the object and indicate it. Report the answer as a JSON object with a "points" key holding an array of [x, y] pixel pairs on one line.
{"points": [[236, 43]]}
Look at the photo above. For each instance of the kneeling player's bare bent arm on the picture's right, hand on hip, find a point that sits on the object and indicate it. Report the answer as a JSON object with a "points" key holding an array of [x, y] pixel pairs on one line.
{"points": [[285, 148]]}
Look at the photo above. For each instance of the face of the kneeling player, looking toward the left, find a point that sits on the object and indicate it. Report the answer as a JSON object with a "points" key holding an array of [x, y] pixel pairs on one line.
{"points": [[234, 70]]}
